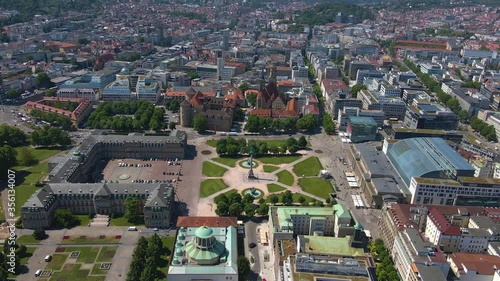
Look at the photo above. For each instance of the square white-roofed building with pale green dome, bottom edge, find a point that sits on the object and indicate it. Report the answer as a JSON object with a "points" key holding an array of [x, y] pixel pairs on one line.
{"points": [[204, 253]]}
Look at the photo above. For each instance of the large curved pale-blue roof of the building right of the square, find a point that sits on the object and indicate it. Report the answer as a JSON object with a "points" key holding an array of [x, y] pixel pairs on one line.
{"points": [[426, 158]]}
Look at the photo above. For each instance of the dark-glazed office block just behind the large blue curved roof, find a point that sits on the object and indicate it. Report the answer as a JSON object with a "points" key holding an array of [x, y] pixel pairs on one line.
{"points": [[422, 114]]}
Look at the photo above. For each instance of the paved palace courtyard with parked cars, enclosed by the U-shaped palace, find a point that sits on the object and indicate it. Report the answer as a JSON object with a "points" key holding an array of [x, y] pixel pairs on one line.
{"points": [[161, 170]]}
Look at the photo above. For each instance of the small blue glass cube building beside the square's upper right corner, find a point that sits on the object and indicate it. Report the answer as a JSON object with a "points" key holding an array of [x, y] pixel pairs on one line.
{"points": [[361, 129]]}
